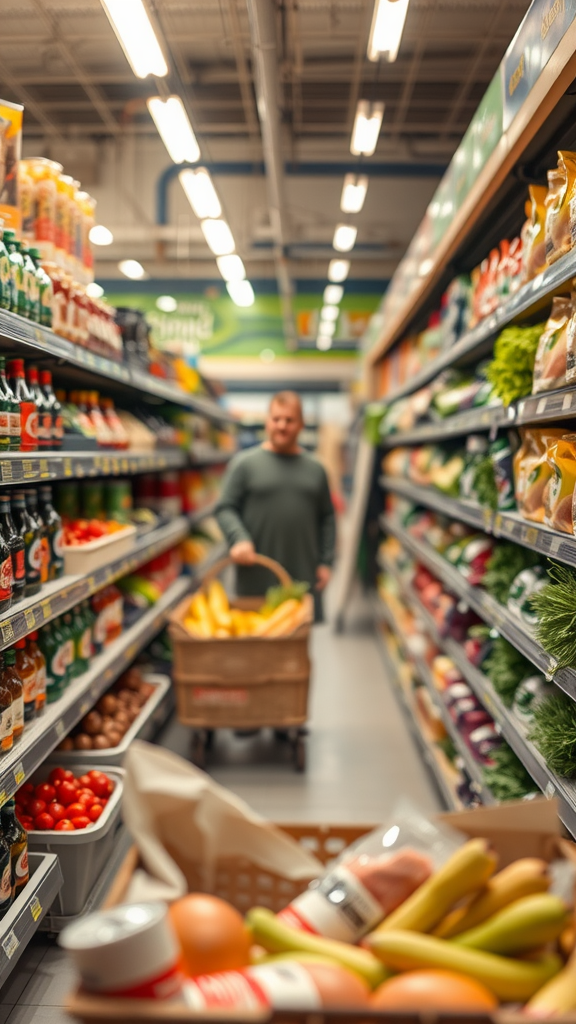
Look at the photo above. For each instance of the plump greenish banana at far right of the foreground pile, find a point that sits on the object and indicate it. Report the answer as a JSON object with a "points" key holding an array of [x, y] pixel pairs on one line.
{"points": [[529, 923]]}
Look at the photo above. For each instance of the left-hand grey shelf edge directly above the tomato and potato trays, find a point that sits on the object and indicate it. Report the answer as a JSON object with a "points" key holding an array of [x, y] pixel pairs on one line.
{"points": [[40, 739]]}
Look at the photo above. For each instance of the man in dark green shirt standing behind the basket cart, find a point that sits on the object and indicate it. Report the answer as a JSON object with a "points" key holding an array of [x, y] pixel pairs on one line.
{"points": [[276, 501]]}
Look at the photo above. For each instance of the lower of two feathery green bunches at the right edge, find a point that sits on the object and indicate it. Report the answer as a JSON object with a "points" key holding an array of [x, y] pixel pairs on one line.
{"points": [[554, 733]]}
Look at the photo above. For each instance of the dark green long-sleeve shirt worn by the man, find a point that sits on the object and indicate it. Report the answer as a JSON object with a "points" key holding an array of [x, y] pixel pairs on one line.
{"points": [[281, 503]]}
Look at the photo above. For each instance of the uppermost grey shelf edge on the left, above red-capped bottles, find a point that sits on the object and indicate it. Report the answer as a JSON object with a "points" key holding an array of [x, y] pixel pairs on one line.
{"points": [[18, 331]]}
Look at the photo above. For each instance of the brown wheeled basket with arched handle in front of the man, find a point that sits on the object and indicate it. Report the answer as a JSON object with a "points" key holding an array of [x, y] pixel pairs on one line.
{"points": [[242, 682]]}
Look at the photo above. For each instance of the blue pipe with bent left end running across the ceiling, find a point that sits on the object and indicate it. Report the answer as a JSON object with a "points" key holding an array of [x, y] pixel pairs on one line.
{"points": [[293, 169]]}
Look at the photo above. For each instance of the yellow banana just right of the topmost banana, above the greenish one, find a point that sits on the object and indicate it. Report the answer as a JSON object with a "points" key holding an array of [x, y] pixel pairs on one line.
{"points": [[523, 878]]}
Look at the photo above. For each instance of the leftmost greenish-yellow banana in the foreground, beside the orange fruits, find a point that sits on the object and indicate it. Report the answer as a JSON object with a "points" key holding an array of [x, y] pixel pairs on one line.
{"points": [[271, 933]]}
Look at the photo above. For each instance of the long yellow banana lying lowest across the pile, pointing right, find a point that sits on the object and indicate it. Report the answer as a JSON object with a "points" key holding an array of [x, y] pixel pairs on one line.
{"points": [[511, 980]]}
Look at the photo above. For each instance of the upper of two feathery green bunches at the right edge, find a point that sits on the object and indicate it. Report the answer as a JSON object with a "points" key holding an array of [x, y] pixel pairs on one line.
{"points": [[556, 608]]}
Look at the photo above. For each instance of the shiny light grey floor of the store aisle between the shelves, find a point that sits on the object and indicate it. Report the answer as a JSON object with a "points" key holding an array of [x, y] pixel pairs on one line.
{"points": [[360, 758]]}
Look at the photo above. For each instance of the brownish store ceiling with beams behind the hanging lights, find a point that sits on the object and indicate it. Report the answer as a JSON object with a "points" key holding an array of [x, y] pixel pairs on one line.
{"points": [[62, 60]]}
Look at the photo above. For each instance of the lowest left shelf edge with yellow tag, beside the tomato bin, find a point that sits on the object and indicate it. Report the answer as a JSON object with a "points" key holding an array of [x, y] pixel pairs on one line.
{"points": [[29, 910]]}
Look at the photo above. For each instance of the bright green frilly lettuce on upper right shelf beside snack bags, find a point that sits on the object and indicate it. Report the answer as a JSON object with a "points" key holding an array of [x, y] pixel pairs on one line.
{"points": [[512, 369]]}
